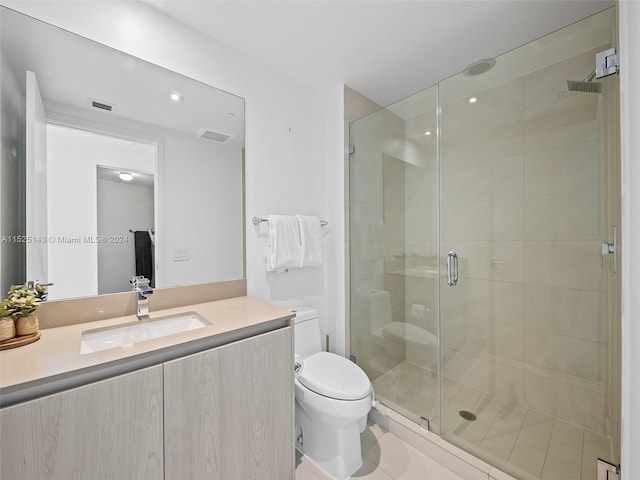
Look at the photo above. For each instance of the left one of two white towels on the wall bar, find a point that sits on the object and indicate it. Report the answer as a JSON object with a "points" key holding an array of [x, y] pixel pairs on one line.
{"points": [[284, 248]]}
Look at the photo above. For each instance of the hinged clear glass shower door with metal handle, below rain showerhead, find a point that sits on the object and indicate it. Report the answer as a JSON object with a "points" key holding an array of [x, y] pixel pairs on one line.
{"points": [[524, 187]]}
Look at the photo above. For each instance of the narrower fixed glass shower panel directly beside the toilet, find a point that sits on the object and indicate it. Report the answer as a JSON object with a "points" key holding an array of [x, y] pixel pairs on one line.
{"points": [[393, 254]]}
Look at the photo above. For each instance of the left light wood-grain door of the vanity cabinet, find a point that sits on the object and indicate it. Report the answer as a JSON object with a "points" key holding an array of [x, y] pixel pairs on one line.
{"points": [[110, 429]]}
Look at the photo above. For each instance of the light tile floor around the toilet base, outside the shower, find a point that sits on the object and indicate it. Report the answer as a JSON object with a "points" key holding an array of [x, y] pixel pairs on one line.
{"points": [[385, 457]]}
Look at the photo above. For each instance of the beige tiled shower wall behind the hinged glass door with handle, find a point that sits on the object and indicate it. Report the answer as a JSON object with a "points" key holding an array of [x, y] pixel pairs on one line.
{"points": [[525, 212]]}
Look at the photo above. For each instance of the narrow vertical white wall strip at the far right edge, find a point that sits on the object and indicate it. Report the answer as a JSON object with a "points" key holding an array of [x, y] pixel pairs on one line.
{"points": [[629, 19]]}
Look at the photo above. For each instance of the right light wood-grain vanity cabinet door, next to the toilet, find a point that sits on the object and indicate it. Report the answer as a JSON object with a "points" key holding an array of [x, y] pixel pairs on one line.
{"points": [[229, 411]]}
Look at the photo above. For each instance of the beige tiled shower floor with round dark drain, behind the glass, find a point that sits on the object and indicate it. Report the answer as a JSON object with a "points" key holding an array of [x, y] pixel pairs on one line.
{"points": [[523, 442]]}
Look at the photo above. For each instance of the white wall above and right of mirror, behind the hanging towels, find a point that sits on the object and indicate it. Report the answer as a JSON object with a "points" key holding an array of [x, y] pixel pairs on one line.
{"points": [[286, 171]]}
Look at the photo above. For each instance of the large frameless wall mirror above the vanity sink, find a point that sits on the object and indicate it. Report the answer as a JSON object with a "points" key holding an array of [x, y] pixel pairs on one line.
{"points": [[113, 167]]}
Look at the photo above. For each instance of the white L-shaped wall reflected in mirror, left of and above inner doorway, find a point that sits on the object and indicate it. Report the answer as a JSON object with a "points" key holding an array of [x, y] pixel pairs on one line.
{"points": [[73, 156]]}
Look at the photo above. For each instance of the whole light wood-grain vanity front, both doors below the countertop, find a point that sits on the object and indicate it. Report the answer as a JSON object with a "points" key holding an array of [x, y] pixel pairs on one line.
{"points": [[224, 413]]}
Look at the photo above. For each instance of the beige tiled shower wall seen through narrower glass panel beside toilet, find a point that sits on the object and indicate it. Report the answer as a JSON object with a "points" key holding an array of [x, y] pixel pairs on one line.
{"points": [[393, 202]]}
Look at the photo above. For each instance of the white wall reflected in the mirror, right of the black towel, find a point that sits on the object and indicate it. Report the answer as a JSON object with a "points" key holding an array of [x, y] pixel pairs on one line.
{"points": [[201, 210]]}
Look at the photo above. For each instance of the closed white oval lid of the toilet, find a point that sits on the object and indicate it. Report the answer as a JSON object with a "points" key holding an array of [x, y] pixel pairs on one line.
{"points": [[334, 376]]}
